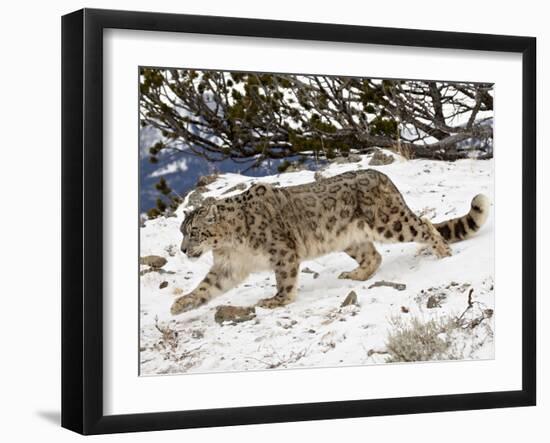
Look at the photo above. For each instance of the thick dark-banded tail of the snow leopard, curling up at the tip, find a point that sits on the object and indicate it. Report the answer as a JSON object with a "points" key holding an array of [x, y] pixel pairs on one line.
{"points": [[464, 227]]}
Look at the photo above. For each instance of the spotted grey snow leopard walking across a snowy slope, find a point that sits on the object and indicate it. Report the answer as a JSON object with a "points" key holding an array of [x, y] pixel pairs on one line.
{"points": [[276, 228]]}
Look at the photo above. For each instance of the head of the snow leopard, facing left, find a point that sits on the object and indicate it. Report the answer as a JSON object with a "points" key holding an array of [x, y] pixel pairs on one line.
{"points": [[201, 230]]}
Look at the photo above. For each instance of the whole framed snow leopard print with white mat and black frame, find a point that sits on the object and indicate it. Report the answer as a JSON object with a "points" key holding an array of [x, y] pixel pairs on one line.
{"points": [[270, 221]]}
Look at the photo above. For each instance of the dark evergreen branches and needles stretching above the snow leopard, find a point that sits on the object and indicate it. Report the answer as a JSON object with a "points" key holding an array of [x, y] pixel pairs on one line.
{"points": [[245, 116]]}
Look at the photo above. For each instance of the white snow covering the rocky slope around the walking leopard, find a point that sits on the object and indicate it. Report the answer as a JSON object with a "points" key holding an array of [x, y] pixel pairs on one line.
{"points": [[314, 331]]}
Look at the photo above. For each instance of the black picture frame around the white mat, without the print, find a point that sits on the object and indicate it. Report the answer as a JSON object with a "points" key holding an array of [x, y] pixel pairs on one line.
{"points": [[82, 220]]}
